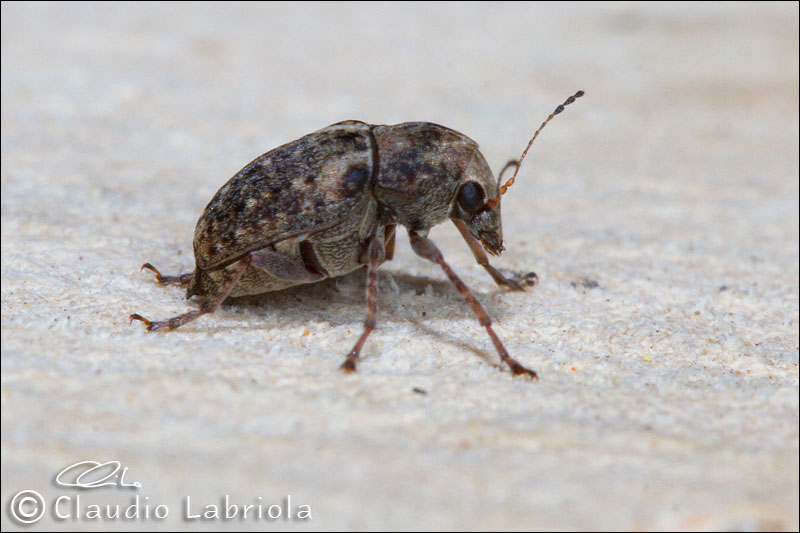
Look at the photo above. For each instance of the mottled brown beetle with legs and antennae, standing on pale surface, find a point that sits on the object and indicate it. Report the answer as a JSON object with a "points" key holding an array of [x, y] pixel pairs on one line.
{"points": [[328, 204]]}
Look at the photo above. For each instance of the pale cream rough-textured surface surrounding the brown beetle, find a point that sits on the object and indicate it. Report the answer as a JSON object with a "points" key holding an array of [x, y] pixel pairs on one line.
{"points": [[668, 395]]}
